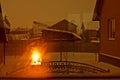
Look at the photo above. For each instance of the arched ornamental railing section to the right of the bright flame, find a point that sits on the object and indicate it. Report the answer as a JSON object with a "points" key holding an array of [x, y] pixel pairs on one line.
{"points": [[72, 67]]}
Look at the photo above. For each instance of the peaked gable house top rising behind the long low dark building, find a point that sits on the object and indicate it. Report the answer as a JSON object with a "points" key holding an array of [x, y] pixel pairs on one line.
{"points": [[64, 25]]}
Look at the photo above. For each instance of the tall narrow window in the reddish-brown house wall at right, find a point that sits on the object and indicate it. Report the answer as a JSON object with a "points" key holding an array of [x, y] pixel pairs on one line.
{"points": [[111, 27]]}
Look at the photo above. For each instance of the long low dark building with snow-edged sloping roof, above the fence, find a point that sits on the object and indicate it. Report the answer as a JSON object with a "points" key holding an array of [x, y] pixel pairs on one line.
{"points": [[53, 34]]}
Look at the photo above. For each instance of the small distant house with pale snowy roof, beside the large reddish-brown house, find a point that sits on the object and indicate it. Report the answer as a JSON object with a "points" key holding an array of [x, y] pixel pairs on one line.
{"points": [[90, 31]]}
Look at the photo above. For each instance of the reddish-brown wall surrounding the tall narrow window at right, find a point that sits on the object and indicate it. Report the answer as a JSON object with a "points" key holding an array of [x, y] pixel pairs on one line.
{"points": [[110, 10]]}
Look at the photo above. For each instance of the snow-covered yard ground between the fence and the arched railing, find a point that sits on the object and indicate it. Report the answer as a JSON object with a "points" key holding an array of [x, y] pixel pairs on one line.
{"points": [[13, 63]]}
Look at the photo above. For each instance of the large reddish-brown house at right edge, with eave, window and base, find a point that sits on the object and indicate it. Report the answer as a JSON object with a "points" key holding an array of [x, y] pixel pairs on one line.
{"points": [[108, 13]]}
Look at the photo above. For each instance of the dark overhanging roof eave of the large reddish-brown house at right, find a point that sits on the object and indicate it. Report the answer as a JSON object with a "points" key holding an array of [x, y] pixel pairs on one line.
{"points": [[97, 11]]}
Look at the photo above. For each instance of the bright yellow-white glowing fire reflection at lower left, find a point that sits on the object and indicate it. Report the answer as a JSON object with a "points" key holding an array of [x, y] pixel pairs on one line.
{"points": [[36, 57]]}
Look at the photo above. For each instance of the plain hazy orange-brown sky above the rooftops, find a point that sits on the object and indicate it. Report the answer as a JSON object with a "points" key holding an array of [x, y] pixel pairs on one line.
{"points": [[22, 13]]}
